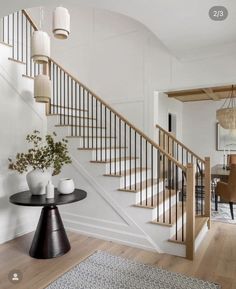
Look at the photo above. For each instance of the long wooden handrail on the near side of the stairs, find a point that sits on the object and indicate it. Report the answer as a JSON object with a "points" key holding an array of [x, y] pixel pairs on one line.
{"points": [[122, 118]]}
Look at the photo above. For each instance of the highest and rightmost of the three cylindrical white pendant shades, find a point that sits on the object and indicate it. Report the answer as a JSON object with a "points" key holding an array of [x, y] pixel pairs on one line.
{"points": [[61, 23]]}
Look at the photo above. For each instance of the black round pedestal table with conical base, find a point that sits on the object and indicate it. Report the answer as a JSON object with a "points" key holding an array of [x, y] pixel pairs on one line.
{"points": [[50, 239]]}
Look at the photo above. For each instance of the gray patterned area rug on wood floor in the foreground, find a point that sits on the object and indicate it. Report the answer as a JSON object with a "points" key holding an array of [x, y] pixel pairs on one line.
{"points": [[104, 271]]}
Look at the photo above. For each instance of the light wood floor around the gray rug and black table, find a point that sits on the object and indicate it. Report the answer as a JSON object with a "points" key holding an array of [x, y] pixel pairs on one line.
{"points": [[215, 260]]}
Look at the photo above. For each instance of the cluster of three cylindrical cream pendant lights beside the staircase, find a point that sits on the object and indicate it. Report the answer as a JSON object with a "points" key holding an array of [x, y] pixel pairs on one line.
{"points": [[40, 51]]}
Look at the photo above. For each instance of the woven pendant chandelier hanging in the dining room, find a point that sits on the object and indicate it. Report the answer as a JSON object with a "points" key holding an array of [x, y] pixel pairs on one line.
{"points": [[226, 115]]}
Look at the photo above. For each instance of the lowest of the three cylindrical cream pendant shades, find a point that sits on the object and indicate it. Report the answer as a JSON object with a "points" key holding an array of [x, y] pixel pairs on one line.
{"points": [[42, 88]]}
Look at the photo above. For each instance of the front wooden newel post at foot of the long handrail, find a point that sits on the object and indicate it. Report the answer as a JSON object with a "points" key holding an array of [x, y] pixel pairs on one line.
{"points": [[190, 212]]}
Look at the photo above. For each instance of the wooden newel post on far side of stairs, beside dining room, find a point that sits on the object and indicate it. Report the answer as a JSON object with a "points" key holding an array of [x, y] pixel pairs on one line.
{"points": [[208, 191]]}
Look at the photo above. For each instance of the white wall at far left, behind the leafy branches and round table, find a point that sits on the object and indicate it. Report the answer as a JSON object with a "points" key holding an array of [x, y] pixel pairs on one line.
{"points": [[19, 115]]}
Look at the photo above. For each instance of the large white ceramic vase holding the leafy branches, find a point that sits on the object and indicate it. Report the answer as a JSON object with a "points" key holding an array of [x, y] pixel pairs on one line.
{"points": [[37, 181]]}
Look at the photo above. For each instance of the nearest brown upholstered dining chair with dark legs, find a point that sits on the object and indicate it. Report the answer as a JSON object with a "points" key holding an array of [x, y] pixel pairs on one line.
{"points": [[227, 191]]}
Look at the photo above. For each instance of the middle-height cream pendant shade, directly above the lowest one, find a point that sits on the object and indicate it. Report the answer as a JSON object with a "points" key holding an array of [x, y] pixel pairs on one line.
{"points": [[40, 47]]}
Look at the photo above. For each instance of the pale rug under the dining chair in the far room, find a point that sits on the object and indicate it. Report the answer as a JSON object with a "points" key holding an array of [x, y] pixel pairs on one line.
{"points": [[223, 214]]}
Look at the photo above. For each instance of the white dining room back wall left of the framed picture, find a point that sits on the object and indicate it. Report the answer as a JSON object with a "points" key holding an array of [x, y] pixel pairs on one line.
{"points": [[199, 129]]}
